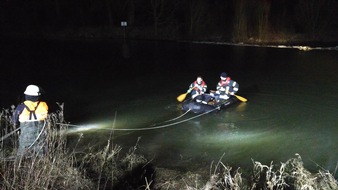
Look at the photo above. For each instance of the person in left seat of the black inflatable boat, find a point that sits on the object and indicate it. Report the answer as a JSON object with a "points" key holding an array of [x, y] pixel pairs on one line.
{"points": [[197, 90]]}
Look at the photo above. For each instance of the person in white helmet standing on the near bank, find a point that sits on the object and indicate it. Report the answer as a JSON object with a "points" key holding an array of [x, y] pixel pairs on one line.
{"points": [[30, 116]]}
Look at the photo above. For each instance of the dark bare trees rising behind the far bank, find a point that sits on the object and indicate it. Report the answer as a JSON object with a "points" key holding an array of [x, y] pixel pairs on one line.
{"points": [[236, 20]]}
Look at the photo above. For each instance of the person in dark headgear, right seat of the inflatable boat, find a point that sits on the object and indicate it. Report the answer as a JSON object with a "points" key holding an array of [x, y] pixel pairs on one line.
{"points": [[225, 88]]}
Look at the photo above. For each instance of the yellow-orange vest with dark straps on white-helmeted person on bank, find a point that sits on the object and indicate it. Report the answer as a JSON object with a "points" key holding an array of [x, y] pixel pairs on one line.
{"points": [[33, 111]]}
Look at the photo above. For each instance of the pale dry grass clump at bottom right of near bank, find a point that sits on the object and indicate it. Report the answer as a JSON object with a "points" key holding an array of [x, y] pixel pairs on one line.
{"points": [[289, 175]]}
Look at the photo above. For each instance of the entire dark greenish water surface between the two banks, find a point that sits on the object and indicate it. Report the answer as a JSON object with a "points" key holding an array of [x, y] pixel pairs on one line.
{"points": [[292, 98]]}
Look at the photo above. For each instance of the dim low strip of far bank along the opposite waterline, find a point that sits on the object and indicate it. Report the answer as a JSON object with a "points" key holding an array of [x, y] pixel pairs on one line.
{"points": [[119, 33]]}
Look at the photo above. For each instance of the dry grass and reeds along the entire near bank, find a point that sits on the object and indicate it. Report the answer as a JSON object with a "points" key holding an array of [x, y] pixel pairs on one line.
{"points": [[62, 167]]}
